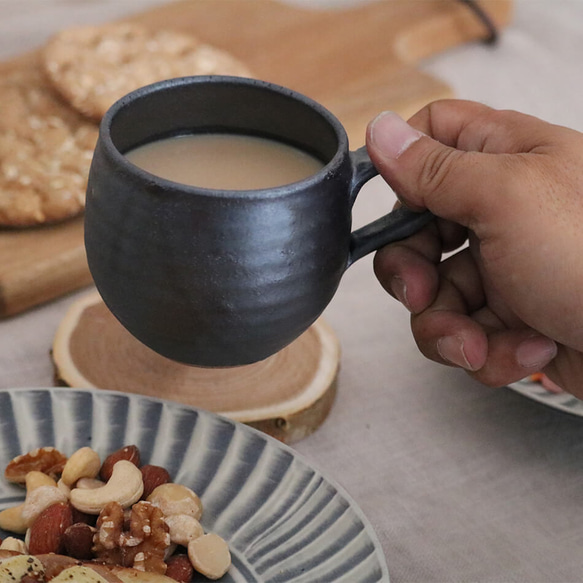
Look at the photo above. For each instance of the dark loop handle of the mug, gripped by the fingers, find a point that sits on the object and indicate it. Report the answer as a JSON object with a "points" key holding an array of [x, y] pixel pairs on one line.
{"points": [[394, 226]]}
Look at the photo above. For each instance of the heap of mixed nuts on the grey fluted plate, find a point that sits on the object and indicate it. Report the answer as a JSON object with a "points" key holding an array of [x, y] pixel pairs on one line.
{"points": [[118, 512]]}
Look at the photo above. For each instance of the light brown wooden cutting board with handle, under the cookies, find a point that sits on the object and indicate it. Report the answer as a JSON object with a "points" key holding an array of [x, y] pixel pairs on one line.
{"points": [[357, 62]]}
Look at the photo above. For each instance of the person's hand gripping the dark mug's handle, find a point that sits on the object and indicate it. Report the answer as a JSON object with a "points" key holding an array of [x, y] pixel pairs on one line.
{"points": [[510, 303]]}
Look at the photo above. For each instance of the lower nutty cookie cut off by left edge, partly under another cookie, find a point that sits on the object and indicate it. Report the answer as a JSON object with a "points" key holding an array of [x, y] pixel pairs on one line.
{"points": [[45, 152]]}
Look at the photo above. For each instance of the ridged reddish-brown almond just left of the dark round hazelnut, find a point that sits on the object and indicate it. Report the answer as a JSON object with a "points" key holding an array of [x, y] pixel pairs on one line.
{"points": [[47, 531]]}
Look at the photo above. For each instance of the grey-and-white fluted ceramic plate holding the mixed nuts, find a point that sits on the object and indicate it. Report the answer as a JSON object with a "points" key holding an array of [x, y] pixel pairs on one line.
{"points": [[283, 520]]}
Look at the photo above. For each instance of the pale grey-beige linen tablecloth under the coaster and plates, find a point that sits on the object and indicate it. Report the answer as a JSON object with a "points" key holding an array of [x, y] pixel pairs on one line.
{"points": [[461, 482]]}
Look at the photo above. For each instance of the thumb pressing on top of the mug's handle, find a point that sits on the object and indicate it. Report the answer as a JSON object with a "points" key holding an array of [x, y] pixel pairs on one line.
{"points": [[425, 174]]}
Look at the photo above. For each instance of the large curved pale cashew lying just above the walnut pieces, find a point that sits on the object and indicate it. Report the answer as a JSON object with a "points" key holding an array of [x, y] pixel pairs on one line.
{"points": [[125, 487]]}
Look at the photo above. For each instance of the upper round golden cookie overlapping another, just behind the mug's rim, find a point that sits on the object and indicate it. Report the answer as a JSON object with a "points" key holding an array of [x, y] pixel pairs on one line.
{"points": [[94, 66]]}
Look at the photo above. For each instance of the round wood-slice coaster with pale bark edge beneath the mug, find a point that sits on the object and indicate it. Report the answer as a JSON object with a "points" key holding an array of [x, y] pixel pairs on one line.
{"points": [[288, 395]]}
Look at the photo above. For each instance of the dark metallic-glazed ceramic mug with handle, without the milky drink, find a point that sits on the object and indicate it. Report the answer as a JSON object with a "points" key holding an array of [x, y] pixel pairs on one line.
{"points": [[223, 277]]}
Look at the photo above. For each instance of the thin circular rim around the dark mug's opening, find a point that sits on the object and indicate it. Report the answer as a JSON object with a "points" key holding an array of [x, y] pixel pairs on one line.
{"points": [[124, 102]]}
